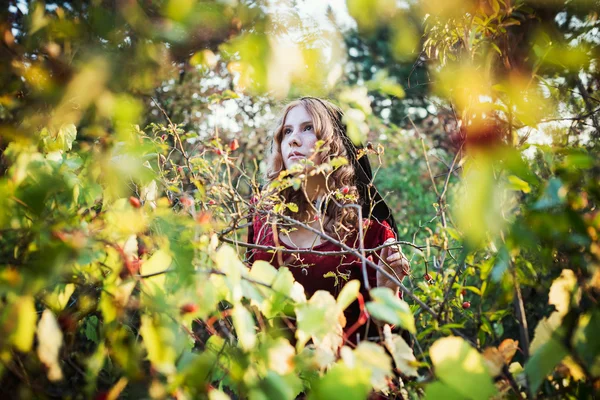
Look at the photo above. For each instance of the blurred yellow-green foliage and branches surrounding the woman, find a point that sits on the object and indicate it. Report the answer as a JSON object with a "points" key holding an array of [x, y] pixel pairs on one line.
{"points": [[133, 135]]}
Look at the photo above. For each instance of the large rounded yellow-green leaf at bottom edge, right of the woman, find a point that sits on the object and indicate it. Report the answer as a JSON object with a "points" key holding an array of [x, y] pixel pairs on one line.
{"points": [[462, 368]]}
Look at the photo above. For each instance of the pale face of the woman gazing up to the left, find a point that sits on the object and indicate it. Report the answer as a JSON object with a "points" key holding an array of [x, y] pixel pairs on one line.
{"points": [[298, 136]]}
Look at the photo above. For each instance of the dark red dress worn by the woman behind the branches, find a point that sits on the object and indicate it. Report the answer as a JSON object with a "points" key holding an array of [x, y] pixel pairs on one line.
{"points": [[326, 272]]}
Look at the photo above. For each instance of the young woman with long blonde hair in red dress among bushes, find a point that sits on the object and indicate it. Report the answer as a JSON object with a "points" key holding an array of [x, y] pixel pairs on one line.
{"points": [[330, 203]]}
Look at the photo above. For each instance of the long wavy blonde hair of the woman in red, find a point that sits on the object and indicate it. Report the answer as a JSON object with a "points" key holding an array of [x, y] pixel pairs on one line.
{"points": [[328, 126]]}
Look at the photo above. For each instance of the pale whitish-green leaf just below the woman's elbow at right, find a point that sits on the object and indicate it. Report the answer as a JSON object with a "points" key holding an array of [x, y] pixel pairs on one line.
{"points": [[389, 308]]}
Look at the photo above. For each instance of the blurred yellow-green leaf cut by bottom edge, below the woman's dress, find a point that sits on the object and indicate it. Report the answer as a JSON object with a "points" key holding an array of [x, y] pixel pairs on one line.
{"points": [[342, 382]]}
